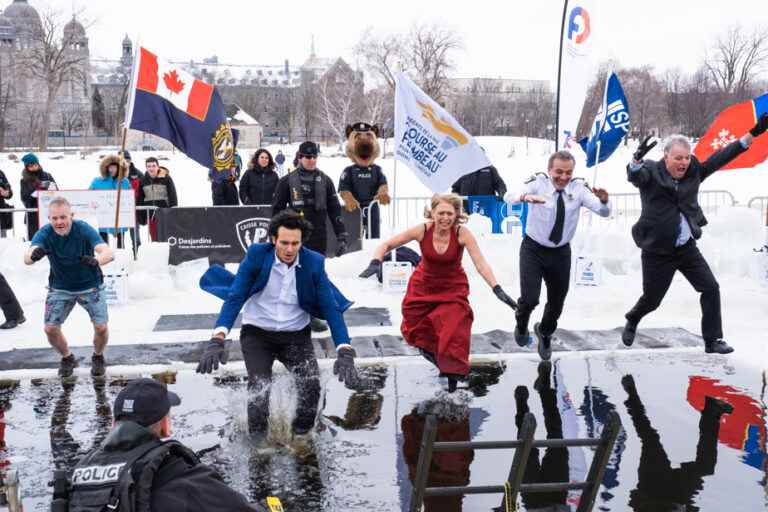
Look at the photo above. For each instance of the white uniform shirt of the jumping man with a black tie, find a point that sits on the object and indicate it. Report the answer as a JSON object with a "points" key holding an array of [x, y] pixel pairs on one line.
{"points": [[541, 217]]}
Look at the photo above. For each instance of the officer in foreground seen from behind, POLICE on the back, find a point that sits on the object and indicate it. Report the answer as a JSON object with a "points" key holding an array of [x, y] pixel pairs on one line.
{"points": [[134, 469]]}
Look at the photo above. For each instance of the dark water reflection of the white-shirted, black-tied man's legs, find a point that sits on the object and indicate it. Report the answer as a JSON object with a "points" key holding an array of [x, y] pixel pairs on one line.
{"points": [[553, 466]]}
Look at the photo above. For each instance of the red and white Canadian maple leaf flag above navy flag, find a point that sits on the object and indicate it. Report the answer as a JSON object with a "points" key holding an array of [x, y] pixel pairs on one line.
{"points": [[169, 81]]}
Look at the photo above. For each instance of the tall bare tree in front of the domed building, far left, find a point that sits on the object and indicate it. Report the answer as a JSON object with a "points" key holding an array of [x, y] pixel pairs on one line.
{"points": [[52, 60]]}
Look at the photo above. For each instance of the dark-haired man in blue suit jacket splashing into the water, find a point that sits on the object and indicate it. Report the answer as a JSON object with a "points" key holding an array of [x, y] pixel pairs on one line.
{"points": [[279, 285]]}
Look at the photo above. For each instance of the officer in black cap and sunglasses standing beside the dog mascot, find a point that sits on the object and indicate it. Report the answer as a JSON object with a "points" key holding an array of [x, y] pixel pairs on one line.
{"points": [[310, 192]]}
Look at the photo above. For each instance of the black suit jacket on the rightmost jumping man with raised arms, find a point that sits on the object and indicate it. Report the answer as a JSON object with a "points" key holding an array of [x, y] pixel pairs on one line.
{"points": [[663, 199]]}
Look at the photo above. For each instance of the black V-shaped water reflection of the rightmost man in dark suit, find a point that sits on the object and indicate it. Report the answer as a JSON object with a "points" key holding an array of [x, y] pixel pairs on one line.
{"points": [[659, 486]]}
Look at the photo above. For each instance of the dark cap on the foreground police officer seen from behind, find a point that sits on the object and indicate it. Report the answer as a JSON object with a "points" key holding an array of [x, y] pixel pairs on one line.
{"points": [[144, 401]]}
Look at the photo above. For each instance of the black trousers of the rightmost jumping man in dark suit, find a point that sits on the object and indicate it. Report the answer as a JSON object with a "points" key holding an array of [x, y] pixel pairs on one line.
{"points": [[658, 271]]}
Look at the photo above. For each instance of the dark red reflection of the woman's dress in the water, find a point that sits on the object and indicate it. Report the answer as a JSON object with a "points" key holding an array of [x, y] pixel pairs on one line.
{"points": [[447, 468]]}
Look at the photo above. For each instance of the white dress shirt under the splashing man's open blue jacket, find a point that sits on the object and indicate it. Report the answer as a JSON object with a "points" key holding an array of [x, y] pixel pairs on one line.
{"points": [[276, 307]]}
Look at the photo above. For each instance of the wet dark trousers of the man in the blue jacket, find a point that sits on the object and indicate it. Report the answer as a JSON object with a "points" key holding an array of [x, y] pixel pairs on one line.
{"points": [[293, 349]]}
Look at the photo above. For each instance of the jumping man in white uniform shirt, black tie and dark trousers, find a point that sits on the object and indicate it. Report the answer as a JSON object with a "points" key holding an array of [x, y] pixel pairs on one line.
{"points": [[555, 202]]}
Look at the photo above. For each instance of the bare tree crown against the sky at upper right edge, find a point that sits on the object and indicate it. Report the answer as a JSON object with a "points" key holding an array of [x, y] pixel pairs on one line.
{"points": [[736, 58]]}
